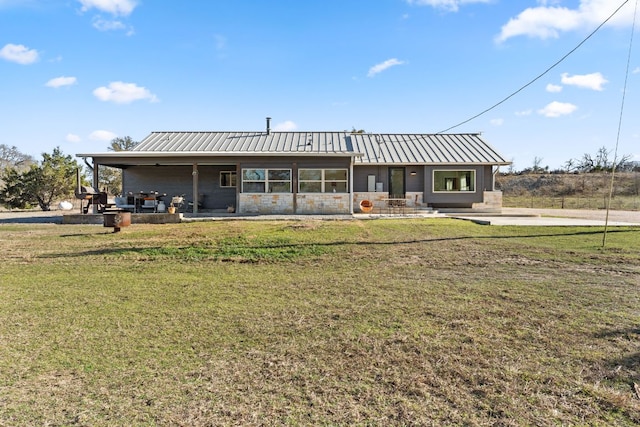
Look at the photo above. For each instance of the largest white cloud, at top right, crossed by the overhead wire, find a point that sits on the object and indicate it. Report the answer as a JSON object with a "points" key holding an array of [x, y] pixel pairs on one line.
{"points": [[549, 21]]}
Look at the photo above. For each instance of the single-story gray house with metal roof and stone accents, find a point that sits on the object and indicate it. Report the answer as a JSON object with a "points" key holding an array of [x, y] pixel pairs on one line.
{"points": [[270, 172]]}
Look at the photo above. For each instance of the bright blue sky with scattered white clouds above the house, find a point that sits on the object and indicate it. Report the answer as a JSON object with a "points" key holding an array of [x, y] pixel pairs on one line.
{"points": [[75, 74]]}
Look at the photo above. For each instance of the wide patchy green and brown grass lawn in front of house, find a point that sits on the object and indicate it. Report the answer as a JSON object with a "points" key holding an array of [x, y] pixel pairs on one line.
{"points": [[388, 322]]}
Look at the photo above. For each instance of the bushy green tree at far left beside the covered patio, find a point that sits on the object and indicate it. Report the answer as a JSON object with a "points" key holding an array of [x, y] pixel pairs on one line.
{"points": [[44, 183]]}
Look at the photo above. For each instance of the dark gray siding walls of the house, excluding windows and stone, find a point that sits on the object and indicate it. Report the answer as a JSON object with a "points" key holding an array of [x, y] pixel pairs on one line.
{"points": [[177, 179]]}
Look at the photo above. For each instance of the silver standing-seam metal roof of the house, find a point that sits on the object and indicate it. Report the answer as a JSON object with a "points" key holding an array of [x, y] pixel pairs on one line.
{"points": [[367, 148]]}
